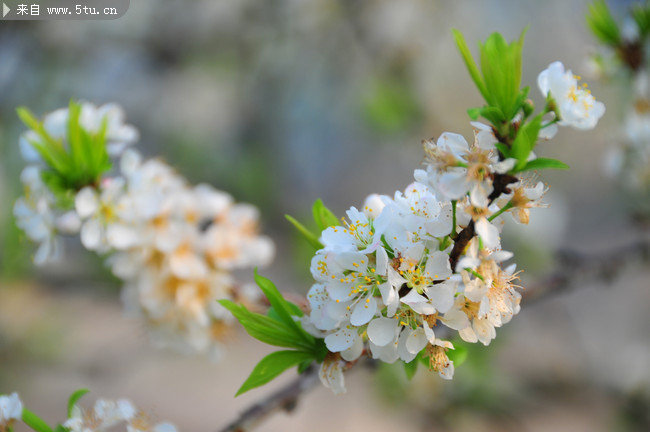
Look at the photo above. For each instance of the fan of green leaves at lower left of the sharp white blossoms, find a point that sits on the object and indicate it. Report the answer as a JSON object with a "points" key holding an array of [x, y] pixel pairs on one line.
{"points": [[279, 327]]}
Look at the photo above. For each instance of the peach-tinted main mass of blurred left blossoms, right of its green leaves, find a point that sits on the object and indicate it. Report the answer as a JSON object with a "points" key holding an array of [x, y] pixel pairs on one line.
{"points": [[175, 247]]}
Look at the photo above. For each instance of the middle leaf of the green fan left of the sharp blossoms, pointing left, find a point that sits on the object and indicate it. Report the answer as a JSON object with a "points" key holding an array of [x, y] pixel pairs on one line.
{"points": [[266, 329]]}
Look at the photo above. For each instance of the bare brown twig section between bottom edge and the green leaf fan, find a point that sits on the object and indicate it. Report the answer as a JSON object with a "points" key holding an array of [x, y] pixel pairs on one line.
{"points": [[284, 399]]}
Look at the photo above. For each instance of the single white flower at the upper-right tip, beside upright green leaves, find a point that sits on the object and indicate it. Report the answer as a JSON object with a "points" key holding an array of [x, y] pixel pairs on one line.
{"points": [[575, 105]]}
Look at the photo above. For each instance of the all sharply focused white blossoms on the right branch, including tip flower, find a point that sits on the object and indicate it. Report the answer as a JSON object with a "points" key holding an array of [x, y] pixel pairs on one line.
{"points": [[404, 275]]}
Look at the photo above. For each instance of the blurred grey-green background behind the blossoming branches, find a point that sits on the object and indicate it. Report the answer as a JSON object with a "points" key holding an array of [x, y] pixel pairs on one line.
{"points": [[281, 103]]}
